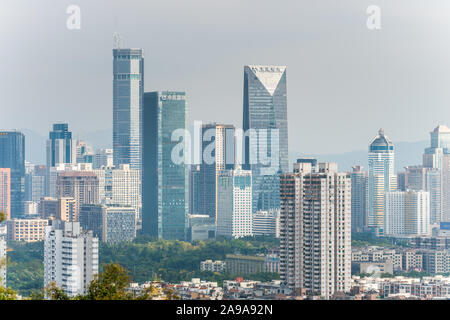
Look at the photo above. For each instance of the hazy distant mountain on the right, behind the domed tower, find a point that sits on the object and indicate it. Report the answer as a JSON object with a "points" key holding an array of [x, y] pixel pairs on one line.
{"points": [[406, 153]]}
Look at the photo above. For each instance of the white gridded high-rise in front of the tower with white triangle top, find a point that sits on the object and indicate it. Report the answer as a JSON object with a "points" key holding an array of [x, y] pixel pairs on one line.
{"points": [[234, 203]]}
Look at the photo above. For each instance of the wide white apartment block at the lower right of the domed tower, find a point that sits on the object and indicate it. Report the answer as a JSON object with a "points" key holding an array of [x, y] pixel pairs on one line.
{"points": [[407, 213]]}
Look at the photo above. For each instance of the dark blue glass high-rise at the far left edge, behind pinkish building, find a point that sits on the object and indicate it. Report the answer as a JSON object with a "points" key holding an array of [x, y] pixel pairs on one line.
{"points": [[12, 156]]}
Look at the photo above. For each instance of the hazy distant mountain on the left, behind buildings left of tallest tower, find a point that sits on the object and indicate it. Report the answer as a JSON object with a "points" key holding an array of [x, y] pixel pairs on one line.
{"points": [[35, 143]]}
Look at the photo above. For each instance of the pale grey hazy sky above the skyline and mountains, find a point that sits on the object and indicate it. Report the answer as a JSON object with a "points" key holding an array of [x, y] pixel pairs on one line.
{"points": [[344, 81]]}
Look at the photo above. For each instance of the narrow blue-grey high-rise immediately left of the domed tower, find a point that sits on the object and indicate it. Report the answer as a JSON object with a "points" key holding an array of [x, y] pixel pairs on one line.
{"points": [[359, 198]]}
